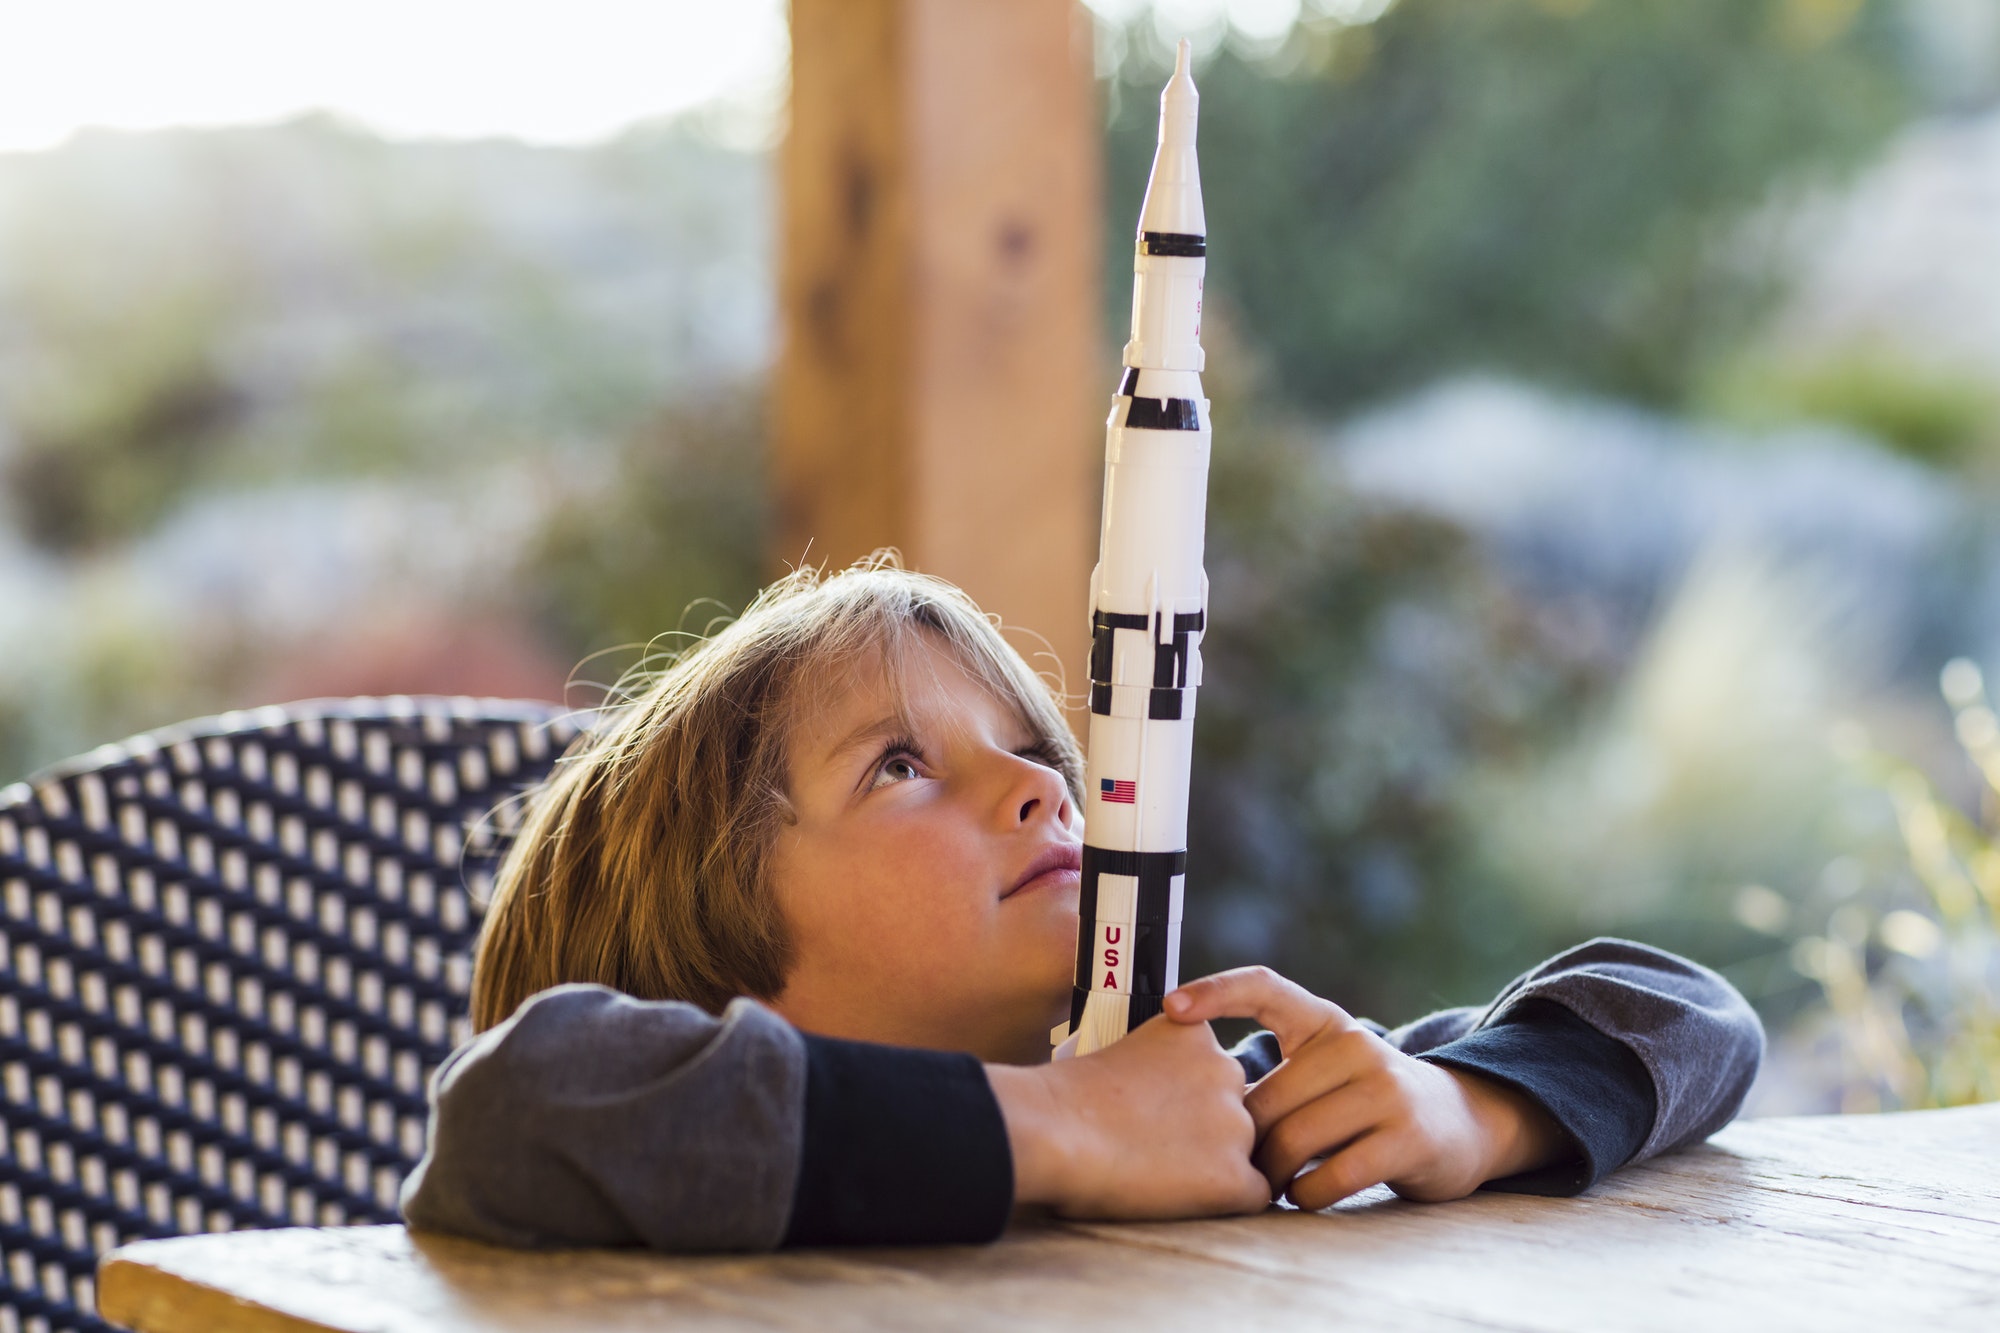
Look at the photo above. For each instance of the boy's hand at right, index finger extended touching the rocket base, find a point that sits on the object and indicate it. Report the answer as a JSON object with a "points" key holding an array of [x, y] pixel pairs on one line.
{"points": [[1375, 1114]]}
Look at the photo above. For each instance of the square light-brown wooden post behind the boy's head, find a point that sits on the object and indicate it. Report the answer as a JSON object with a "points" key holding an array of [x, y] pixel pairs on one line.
{"points": [[943, 381]]}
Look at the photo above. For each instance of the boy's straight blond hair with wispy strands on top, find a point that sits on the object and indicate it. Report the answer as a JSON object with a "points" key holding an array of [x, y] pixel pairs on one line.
{"points": [[643, 860]]}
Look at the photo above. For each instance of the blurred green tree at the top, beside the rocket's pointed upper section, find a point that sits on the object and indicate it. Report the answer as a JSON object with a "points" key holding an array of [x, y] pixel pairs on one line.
{"points": [[1555, 189]]}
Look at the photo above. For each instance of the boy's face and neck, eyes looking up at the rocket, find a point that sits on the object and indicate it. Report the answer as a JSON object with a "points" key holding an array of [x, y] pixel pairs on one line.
{"points": [[931, 876]]}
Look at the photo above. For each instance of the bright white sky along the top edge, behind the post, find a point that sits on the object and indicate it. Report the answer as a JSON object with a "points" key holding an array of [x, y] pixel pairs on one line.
{"points": [[547, 71]]}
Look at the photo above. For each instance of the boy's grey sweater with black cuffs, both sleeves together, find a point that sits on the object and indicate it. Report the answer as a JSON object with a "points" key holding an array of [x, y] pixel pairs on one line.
{"points": [[599, 1120]]}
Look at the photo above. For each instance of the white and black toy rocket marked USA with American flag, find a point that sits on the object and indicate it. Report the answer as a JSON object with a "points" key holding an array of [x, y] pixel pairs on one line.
{"points": [[1149, 607]]}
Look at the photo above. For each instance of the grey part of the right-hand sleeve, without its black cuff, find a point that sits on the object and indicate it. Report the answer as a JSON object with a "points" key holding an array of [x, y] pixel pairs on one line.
{"points": [[1697, 1038]]}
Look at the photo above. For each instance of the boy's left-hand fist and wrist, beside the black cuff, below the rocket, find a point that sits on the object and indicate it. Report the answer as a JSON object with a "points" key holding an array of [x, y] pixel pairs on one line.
{"points": [[1153, 1126]]}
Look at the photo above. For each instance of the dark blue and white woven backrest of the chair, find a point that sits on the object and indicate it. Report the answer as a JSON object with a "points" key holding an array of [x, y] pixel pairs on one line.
{"points": [[231, 956]]}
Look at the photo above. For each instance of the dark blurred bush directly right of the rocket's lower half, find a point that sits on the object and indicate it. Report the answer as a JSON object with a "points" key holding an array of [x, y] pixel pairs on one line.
{"points": [[1359, 665]]}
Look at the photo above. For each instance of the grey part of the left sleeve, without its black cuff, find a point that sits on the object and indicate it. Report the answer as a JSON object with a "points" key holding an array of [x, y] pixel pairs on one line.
{"points": [[599, 1120]]}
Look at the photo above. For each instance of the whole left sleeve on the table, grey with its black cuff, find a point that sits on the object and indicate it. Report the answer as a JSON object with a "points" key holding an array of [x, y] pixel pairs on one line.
{"points": [[599, 1120]]}
